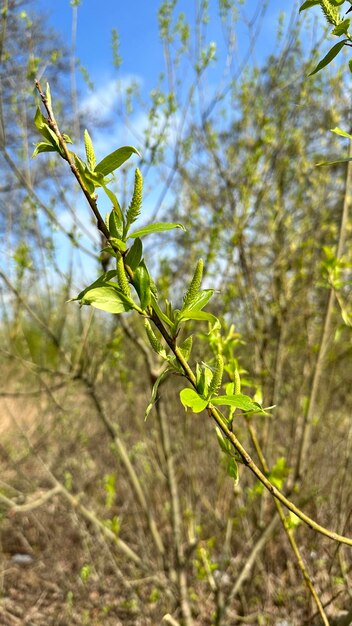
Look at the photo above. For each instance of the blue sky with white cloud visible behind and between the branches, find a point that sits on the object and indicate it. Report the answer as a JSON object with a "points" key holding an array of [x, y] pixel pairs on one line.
{"points": [[142, 53]]}
